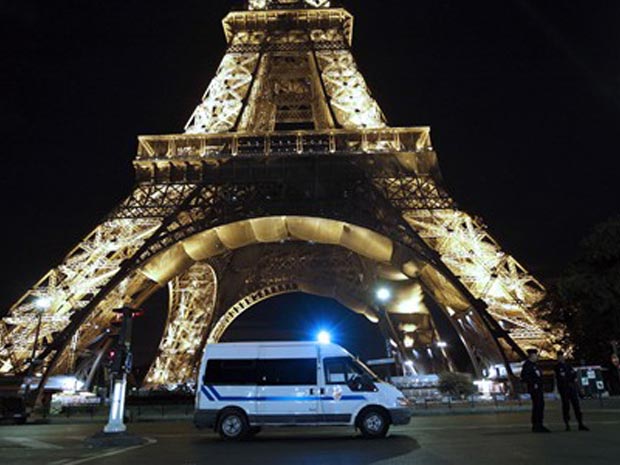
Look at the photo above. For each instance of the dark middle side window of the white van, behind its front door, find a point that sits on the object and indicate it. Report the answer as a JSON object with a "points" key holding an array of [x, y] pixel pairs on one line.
{"points": [[287, 372]]}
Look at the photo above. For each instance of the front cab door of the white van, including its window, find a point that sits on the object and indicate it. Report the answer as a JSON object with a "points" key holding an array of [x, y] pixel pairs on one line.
{"points": [[346, 389]]}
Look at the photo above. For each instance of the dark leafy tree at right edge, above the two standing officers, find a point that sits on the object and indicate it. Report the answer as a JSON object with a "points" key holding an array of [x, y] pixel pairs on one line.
{"points": [[586, 299]]}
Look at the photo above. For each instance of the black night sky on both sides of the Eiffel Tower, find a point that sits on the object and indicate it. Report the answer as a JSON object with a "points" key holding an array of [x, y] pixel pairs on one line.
{"points": [[523, 97]]}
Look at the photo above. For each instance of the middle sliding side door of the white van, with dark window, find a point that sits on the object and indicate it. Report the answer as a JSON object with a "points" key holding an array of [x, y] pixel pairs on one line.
{"points": [[287, 385]]}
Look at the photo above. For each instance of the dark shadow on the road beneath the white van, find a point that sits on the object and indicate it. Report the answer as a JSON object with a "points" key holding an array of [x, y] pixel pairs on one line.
{"points": [[313, 449]]}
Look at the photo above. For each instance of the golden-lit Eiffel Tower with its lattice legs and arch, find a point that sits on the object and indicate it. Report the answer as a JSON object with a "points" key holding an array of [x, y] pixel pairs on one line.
{"points": [[287, 179]]}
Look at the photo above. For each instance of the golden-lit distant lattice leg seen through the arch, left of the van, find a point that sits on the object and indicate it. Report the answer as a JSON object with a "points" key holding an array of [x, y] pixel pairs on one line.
{"points": [[192, 302]]}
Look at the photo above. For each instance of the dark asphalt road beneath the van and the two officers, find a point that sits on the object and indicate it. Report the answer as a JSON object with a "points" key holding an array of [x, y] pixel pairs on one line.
{"points": [[441, 440]]}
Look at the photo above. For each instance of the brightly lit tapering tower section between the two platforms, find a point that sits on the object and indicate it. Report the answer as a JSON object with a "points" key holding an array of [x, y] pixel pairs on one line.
{"points": [[291, 93]]}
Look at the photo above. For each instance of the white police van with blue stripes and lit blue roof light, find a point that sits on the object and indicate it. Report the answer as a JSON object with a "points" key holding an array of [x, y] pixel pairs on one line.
{"points": [[244, 386]]}
